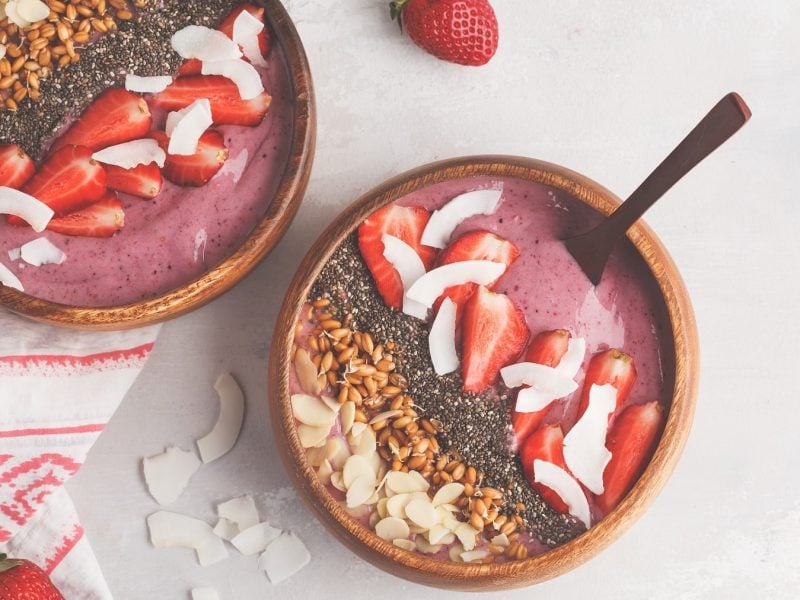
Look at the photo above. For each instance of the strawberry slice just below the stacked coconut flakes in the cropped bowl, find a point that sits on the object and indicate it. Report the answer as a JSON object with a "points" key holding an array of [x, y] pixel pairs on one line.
{"points": [[197, 169]]}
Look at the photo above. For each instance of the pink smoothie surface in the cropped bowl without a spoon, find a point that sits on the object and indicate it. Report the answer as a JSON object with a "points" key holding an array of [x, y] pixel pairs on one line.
{"points": [[184, 231]]}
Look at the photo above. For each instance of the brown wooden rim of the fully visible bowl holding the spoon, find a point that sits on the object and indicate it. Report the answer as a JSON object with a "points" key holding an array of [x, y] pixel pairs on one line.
{"points": [[476, 577]]}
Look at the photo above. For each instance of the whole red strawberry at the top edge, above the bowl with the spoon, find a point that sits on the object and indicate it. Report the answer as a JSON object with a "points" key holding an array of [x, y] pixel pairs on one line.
{"points": [[459, 31]]}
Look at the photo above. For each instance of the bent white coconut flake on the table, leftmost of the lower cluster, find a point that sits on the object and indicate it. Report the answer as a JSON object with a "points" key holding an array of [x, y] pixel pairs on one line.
{"points": [[172, 530]]}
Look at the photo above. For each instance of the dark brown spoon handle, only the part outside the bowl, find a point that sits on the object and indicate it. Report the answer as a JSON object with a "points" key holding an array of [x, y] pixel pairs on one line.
{"points": [[721, 122]]}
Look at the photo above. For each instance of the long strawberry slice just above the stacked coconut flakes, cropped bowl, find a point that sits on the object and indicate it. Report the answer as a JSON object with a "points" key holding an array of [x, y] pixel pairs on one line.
{"points": [[227, 107]]}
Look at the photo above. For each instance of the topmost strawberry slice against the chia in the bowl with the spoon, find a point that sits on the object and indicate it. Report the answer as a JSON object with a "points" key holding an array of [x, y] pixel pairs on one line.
{"points": [[404, 222]]}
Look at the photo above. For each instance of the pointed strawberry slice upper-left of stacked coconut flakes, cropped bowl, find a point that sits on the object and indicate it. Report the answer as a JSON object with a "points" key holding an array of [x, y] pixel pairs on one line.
{"points": [[114, 117]]}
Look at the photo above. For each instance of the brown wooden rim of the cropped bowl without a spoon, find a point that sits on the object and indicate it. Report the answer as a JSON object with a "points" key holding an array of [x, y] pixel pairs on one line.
{"points": [[263, 238]]}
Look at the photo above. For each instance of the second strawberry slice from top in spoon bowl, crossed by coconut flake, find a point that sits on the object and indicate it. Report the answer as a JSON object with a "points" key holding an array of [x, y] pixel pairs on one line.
{"points": [[475, 245]]}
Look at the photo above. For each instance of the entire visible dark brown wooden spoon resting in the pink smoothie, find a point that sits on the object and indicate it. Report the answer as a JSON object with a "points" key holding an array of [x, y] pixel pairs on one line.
{"points": [[592, 249]]}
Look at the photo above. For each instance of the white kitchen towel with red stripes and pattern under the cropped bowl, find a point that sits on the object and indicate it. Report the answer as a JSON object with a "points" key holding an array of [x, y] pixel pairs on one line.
{"points": [[58, 389]]}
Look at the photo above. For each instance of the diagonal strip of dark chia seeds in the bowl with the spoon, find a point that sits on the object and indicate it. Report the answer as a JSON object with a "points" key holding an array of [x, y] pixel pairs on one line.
{"points": [[477, 426]]}
